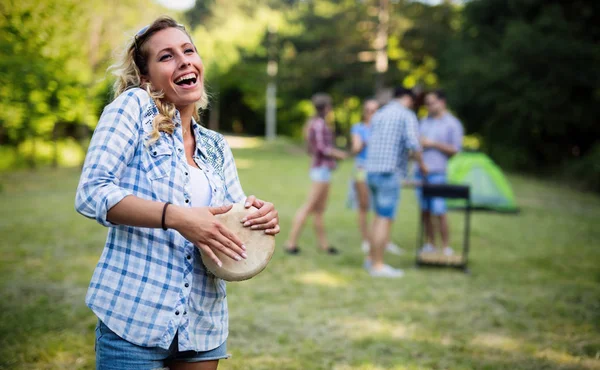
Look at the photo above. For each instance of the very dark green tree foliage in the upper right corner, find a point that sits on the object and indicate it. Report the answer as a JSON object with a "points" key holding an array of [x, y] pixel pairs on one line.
{"points": [[524, 75]]}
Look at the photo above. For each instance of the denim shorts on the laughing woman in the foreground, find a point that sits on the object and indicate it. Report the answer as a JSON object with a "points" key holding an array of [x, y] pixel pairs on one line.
{"points": [[115, 353]]}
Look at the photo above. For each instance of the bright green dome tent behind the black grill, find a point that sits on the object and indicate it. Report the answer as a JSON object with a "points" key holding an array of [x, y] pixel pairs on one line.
{"points": [[490, 189]]}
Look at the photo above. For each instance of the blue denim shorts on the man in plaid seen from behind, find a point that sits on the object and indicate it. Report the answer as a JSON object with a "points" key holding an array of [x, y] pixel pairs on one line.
{"points": [[385, 191]]}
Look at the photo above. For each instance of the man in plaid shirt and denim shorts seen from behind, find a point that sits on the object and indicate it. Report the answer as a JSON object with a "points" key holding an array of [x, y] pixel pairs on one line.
{"points": [[394, 139]]}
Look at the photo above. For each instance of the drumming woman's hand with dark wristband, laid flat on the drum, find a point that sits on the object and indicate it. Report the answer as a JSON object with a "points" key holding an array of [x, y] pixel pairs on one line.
{"points": [[199, 226]]}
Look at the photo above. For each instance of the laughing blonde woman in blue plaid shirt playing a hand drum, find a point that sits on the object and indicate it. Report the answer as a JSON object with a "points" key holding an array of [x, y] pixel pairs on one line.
{"points": [[156, 178]]}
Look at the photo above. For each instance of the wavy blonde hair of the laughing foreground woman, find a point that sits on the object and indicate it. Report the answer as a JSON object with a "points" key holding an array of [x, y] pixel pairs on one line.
{"points": [[132, 65]]}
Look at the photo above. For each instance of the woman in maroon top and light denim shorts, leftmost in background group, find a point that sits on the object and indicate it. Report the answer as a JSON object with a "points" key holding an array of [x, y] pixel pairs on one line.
{"points": [[320, 138]]}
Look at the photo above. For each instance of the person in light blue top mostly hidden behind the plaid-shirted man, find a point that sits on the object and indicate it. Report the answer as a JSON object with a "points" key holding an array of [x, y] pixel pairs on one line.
{"points": [[360, 137]]}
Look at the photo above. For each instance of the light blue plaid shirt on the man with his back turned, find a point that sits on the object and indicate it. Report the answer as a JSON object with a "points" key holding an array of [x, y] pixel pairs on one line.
{"points": [[394, 134]]}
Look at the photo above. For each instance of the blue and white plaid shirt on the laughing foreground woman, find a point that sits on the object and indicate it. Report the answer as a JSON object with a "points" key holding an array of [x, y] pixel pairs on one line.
{"points": [[150, 284]]}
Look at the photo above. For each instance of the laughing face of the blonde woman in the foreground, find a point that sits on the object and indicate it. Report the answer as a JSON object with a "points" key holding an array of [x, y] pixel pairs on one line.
{"points": [[174, 67]]}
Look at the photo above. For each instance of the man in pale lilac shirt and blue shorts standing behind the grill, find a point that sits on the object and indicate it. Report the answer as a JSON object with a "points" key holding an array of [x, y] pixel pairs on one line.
{"points": [[441, 137]]}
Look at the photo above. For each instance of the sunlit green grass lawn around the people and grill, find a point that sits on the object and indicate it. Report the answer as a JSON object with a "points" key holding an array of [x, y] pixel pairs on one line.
{"points": [[531, 302]]}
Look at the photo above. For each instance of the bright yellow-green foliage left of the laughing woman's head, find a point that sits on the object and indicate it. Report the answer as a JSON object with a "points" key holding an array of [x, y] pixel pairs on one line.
{"points": [[53, 60]]}
